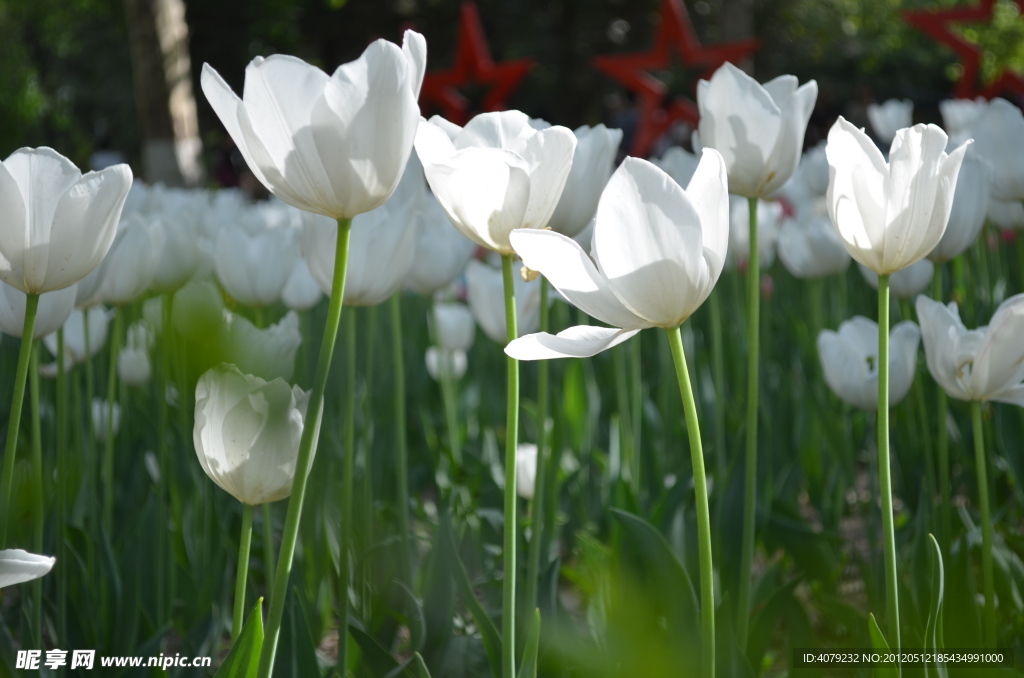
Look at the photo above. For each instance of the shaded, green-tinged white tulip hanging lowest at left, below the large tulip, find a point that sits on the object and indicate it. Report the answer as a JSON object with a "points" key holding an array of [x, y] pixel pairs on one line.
{"points": [[247, 434]]}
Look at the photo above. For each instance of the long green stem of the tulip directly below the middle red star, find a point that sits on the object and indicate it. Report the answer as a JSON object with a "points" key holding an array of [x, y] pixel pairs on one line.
{"points": [[751, 476]]}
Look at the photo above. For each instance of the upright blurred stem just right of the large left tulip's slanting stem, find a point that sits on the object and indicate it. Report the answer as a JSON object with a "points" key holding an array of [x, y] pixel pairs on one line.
{"points": [[348, 484]]}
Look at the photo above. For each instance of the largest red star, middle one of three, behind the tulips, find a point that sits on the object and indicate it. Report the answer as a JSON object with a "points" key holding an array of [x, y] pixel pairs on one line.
{"points": [[675, 32]]}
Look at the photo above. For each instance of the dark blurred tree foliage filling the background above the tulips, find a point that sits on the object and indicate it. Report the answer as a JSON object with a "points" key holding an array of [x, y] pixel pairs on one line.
{"points": [[67, 80]]}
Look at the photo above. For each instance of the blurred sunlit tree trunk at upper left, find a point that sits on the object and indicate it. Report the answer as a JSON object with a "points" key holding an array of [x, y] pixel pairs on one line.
{"points": [[166, 108]]}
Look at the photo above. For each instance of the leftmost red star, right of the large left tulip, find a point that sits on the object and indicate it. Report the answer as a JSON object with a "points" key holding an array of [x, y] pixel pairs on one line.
{"points": [[473, 65]]}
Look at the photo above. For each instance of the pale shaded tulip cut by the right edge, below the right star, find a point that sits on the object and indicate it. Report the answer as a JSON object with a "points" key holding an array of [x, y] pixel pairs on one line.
{"points": [[999, 136]]}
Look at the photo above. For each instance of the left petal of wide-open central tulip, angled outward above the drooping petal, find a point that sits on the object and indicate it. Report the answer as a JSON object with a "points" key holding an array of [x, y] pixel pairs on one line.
{"points": [[568, 268]]}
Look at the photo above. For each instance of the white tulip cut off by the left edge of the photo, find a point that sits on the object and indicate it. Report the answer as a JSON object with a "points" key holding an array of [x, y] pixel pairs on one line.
{"points": [[58, 224]]}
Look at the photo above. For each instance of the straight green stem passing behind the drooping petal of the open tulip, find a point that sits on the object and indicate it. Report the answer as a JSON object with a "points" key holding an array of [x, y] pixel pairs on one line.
{"points": [[511, 442]]}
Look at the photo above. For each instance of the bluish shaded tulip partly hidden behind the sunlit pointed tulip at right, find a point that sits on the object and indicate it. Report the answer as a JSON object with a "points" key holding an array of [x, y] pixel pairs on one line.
{"points": [[967, 218]]}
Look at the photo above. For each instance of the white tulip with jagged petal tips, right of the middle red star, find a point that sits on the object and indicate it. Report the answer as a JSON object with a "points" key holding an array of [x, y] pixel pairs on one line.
{"points": [[759, 130]]}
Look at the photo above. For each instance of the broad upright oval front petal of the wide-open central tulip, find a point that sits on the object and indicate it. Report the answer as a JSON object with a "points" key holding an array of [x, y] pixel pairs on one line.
{"points": [[648, 243]]}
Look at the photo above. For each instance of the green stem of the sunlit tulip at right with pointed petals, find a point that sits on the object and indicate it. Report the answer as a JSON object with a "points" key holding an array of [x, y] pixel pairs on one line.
{"points": [[885, 473]]}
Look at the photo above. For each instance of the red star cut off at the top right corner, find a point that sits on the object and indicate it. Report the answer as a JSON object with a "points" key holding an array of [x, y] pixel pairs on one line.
{"points": [[936, 25]]}
